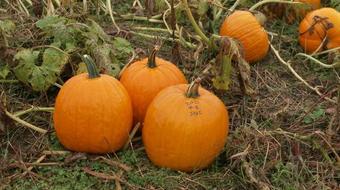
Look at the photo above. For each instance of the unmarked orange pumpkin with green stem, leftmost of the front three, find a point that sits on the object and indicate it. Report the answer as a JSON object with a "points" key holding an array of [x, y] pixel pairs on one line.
{"points": [[93, 112]]}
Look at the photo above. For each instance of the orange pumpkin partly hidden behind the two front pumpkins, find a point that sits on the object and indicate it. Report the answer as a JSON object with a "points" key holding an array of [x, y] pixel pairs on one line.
{"points": [[145, 78]]}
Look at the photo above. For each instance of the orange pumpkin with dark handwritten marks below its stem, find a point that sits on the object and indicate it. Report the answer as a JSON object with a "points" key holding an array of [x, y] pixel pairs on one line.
{"points": [[185, 128]]}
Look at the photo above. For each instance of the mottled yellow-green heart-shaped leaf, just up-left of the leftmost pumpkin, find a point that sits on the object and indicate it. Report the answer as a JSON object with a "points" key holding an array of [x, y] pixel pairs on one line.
{"points": [[40, 76]]}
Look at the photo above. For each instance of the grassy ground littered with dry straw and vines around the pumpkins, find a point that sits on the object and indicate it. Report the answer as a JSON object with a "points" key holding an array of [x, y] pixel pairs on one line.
{"points": [[284, 137]]}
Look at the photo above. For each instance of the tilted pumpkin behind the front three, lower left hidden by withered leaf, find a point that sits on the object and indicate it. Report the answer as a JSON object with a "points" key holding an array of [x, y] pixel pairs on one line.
{"points": [[245, 27]]}
